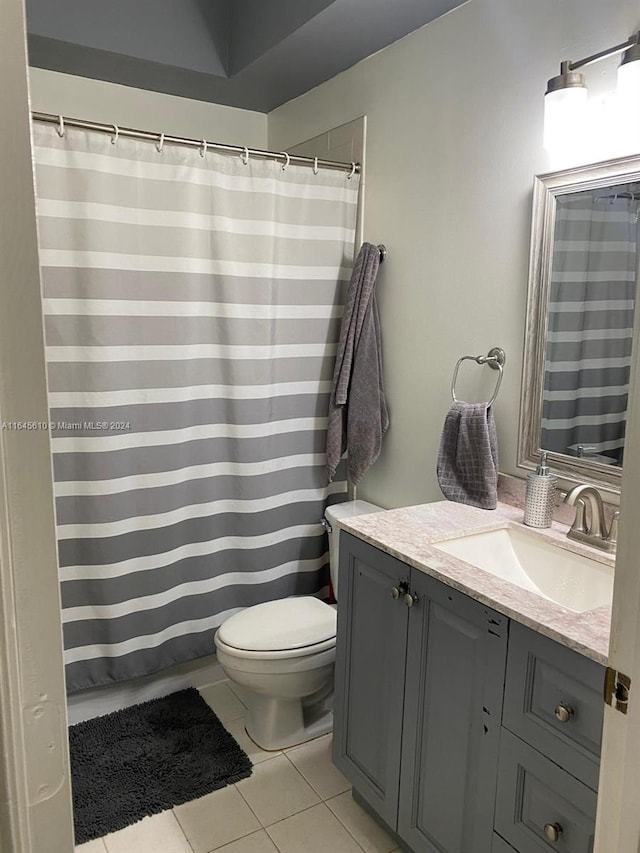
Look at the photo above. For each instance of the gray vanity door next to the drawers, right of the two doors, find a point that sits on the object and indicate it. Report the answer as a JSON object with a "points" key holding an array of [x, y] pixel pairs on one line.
{"points": [[453, 702]]}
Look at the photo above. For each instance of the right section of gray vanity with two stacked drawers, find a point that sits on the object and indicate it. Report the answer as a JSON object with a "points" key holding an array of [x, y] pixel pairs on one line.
{"points": [[549, 747]]}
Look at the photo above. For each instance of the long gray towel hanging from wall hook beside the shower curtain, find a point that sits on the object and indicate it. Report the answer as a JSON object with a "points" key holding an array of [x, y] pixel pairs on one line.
{"points": [[358, 415]]}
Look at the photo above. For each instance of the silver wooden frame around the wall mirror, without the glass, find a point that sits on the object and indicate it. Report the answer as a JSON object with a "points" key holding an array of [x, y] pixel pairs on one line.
{"points": [[546, 189]]}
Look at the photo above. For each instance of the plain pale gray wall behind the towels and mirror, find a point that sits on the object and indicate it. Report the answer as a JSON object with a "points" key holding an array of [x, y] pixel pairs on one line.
{"points": [[454, 138]]}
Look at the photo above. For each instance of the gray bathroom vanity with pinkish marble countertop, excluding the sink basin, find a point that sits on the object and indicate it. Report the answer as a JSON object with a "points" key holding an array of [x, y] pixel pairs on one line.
{"points": [[464, 727]]}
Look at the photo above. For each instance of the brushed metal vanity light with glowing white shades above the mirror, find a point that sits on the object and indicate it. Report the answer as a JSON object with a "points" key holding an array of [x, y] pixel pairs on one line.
{"points": [[565, 111]]}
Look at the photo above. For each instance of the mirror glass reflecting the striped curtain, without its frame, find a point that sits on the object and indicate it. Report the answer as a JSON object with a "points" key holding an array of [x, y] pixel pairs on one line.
{"points": [[590, 329]]}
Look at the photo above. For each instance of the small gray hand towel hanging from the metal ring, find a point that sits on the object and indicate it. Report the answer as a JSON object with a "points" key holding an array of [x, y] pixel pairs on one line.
{"points": [[468, 457]]}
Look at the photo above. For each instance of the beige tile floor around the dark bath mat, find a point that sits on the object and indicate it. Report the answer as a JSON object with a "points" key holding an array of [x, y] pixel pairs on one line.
{"points": [[294, 802]]}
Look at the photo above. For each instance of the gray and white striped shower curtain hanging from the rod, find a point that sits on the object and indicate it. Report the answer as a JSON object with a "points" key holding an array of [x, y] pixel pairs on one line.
{"points": [[192, 307]]}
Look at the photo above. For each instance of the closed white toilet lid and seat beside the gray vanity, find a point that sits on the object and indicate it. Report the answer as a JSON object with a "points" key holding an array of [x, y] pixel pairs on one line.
{"points": [[289, 623]]}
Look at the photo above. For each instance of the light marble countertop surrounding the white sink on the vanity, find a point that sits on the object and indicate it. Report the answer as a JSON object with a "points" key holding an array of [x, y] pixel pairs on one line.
{"points": [[409, 533]]}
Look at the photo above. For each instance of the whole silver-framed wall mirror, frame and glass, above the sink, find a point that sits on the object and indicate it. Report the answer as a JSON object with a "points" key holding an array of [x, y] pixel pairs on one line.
{"points": [[580, 319]]}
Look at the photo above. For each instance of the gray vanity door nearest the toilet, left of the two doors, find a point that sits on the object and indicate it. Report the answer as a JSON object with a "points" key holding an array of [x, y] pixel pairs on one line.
{"points": [[370, 664]]}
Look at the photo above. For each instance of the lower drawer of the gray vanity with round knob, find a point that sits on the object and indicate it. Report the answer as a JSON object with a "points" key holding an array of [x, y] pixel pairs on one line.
{"points": [[534, 793]]}
